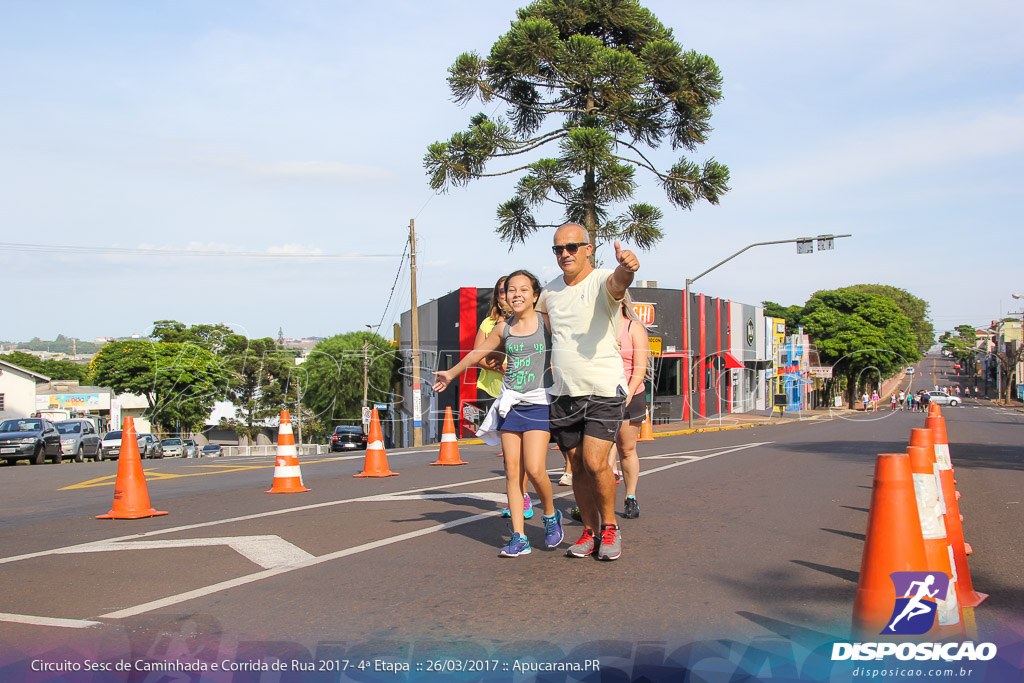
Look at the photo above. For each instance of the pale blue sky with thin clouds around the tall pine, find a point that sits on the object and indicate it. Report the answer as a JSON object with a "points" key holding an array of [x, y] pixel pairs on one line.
{"points": [[301, 127]]}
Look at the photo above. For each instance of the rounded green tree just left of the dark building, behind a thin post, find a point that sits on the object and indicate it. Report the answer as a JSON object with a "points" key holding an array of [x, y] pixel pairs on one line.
{"points": [[333, 387]]}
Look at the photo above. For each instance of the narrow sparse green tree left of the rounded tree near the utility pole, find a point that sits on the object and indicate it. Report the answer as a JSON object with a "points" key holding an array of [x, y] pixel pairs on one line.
{"points": [[261, 381]]}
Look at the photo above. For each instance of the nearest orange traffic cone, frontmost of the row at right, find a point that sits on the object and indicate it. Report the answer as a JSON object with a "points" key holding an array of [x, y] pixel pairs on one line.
{"points": [[893, 543]]}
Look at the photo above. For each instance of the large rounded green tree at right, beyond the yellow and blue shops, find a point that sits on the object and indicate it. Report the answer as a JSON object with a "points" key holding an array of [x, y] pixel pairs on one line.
{"points": [[863, 336]]}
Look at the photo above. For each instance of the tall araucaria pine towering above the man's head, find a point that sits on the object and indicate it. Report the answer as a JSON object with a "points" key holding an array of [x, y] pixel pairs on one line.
{"points": [[614, 81]]}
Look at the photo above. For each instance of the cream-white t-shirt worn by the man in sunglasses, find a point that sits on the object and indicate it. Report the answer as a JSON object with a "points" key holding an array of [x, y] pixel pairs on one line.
{"points": [[584, 329]]}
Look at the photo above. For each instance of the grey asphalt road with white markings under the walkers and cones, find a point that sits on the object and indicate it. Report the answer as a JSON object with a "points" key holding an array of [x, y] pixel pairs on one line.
{"points": [[749, 536]]}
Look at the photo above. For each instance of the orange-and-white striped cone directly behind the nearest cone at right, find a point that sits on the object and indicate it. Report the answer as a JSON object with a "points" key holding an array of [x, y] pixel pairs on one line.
{"points": [[938, 552]]}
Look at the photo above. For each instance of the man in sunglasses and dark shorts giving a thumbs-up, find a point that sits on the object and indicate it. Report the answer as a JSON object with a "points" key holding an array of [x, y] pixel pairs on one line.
{"points": [[589, 390]]}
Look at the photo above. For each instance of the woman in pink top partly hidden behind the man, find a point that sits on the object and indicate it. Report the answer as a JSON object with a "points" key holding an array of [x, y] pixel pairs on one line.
{"points": [[635, 350]]}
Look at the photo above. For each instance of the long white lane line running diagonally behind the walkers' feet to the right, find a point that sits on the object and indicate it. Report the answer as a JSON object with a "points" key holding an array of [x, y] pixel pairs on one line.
{"points": [[242, 581]]}
